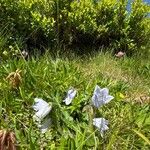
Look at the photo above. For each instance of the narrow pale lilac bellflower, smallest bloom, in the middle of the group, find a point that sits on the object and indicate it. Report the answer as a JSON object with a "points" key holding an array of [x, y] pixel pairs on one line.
{"points": [[70, 96]]}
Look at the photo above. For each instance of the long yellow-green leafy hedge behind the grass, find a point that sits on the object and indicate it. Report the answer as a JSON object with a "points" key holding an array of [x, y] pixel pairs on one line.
{"points": [[65, 22]]}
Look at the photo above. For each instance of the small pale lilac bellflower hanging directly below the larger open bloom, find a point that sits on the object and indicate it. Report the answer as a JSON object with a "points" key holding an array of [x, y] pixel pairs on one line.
{"points": [[101, 124]]}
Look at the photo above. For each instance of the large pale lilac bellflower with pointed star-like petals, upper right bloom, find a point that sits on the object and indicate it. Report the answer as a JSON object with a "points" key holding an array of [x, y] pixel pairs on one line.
{"points": [[101, 96]]}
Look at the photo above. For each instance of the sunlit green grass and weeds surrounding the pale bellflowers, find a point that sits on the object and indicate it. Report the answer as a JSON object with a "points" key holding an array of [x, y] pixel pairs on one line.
{"points": [[50, 79]]}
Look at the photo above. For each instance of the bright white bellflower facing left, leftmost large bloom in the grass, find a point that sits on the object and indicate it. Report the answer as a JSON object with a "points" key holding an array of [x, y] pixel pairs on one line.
{"points": [[42, 109]]}
